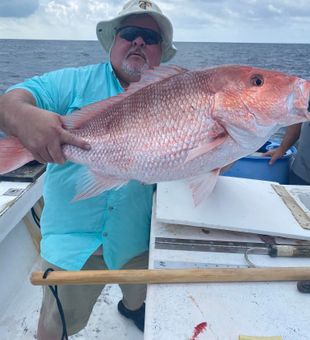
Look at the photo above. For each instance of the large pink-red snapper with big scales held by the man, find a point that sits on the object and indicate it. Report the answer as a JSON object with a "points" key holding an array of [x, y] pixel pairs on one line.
{"points": [[176, 124]]}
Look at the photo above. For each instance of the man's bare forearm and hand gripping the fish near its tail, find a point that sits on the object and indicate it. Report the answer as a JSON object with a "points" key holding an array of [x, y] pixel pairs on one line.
{"points": [[40, 131]]}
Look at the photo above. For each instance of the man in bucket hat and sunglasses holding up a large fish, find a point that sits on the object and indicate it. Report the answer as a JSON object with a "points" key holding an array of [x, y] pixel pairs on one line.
{"points": [[110, 230]]}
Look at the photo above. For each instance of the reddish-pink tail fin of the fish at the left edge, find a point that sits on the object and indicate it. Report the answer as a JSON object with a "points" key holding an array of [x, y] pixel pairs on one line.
{"points": [[13, 154]]}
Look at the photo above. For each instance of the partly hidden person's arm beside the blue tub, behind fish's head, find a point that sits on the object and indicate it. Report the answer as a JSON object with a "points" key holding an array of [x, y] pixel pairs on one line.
{"points": [[290, 138]]}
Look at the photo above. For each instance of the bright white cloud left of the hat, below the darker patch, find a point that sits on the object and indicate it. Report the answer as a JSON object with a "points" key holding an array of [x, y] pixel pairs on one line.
{"points": [[60, 19]]}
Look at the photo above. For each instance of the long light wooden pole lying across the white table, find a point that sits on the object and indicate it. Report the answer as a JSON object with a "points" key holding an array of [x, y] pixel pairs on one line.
{"points": [[150, 276]]}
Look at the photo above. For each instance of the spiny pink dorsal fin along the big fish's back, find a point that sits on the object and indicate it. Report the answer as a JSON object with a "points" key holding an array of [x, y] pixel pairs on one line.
{"points": [[151, 76]]}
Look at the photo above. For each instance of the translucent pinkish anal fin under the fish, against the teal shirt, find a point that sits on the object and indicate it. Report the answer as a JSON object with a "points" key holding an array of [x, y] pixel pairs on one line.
{"points": [[94, 182]]}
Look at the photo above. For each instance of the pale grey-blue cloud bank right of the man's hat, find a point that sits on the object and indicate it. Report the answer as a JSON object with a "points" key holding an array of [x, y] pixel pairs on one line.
{"points": [[242, 20]]}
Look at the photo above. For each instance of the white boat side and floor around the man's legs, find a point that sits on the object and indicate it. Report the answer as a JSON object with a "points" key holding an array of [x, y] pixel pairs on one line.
{"points": [[19, 300]]}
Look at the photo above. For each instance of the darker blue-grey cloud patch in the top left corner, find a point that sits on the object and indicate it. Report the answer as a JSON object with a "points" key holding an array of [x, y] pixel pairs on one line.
{"points": [[18, 8]]}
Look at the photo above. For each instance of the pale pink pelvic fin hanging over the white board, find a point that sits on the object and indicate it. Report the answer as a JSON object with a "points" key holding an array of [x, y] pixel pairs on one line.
{"points": [[202, 185]]}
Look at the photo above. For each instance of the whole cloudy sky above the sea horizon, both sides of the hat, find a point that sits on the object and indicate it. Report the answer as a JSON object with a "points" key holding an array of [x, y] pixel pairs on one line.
{"points": [[279, 21]]}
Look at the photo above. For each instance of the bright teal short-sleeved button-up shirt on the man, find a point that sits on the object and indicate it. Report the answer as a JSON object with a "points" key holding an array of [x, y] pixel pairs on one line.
{"points": [[117, 219]]}
